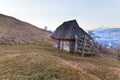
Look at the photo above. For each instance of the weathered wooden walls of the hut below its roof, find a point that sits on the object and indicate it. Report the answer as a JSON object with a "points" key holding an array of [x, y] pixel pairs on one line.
{"points": [[84, 46]]}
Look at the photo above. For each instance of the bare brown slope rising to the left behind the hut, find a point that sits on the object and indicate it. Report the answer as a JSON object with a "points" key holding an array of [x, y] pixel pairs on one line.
{"points": [[14, 31]]}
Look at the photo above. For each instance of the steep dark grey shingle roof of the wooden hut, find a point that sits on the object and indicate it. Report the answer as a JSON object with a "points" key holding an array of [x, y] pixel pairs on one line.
{"points": [[68, 30]]}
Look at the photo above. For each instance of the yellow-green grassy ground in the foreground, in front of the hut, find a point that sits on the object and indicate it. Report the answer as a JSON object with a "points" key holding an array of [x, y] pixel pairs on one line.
{"points": [[43, 62]]}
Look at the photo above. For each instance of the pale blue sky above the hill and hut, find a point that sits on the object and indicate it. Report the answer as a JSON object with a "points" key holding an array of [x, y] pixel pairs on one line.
{"points": [[90, 14]]}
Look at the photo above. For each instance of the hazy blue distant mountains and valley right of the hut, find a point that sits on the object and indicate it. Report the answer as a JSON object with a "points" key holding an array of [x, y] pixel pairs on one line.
{"points": [[109, 37]]}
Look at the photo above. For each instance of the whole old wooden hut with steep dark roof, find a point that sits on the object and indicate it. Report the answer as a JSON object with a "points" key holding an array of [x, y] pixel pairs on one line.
{"points": [[70, 37]]}
